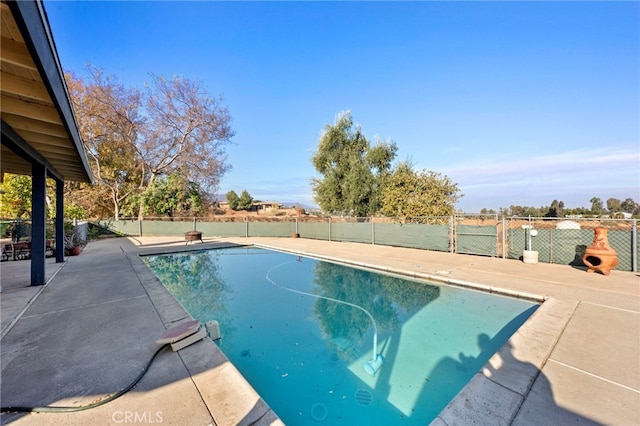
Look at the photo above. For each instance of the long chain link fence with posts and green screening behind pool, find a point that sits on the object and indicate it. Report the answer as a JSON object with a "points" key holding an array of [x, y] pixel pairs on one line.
{"points": [[556, 240]]}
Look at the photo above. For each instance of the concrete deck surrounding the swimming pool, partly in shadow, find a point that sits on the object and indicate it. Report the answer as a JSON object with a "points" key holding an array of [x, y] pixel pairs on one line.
{"points": [[93, 327]]}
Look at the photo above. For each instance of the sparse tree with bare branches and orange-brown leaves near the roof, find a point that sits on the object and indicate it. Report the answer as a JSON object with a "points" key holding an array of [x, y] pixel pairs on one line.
{"points": [[132, 136]]}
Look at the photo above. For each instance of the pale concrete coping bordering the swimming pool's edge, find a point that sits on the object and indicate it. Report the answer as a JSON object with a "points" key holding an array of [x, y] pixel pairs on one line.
{"points": [[497, 391]]}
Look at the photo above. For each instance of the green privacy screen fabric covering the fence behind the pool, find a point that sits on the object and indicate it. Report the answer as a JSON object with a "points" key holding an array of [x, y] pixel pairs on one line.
{"points": [[554, 245]]}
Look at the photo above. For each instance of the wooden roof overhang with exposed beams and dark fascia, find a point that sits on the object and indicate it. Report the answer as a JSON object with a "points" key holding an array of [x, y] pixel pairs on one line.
{"points": [[38, 124]]}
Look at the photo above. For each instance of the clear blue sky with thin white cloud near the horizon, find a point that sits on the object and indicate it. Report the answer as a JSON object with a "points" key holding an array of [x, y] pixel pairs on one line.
{"points": [[520, 103]]}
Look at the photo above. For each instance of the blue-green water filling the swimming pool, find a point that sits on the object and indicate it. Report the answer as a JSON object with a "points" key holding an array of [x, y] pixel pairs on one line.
{"points": [[301, 331]]}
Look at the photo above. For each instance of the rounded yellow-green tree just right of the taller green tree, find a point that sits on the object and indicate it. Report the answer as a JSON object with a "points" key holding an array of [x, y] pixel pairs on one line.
{"points": [[408, 193]]}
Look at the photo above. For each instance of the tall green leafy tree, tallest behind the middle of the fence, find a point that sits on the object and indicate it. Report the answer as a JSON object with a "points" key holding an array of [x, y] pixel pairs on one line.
{"points": [[352, 170]]}
